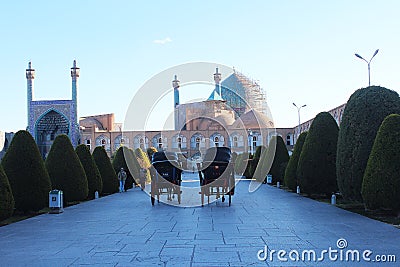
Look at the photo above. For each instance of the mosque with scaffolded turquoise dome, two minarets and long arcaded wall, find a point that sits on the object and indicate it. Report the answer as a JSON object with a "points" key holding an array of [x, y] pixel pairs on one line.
{"points": [[229, 117]]}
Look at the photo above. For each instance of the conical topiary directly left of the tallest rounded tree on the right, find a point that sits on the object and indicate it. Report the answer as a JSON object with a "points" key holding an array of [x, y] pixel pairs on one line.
{"points": [[316, 168]]}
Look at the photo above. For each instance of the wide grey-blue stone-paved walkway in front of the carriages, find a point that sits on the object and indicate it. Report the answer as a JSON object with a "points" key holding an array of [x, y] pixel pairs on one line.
{"points": [[125, 230]]}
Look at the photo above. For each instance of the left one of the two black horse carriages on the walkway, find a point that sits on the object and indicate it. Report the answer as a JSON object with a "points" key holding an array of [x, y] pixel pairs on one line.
{"points": [[165, 176]]}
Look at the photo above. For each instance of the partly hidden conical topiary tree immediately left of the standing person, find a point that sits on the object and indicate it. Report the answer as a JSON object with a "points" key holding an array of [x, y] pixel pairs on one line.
{"points": [[110, 179]]}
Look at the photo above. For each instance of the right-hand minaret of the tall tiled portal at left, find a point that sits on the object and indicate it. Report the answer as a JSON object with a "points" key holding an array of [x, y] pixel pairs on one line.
{"points": [[74, 118]]}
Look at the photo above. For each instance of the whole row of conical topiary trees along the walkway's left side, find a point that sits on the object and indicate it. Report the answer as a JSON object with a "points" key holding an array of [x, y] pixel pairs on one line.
{"points": [[26, 179]]}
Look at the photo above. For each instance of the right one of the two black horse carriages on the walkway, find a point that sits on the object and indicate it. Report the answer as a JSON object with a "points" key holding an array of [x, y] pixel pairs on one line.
{"points": [[217, 174]]}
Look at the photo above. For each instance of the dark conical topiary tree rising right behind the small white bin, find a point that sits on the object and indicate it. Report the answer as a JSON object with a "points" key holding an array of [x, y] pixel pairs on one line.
{"points": [[66, 171]]}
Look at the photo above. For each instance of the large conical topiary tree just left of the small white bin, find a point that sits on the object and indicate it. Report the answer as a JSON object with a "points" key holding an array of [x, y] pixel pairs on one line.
{"points": [[28, 177]]}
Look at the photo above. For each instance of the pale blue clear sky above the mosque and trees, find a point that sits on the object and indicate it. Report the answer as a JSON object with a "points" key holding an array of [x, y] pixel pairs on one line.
{"points": [[299, 51]]}
